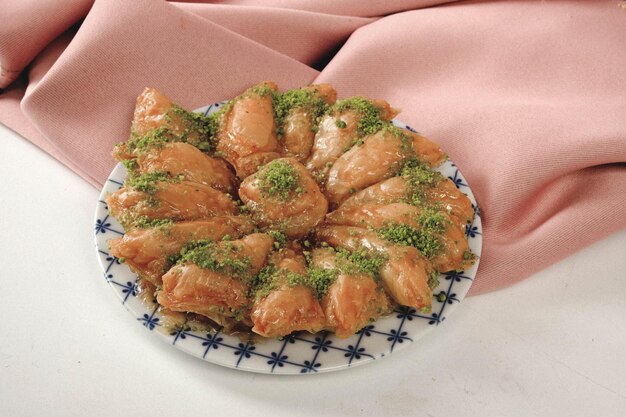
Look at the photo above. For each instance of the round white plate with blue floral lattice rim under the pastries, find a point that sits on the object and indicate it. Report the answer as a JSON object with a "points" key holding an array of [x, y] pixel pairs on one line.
{"points": [[301, 353]]}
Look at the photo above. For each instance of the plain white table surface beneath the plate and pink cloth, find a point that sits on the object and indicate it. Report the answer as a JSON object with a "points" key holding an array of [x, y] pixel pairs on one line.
{"points": [[553, 345]]}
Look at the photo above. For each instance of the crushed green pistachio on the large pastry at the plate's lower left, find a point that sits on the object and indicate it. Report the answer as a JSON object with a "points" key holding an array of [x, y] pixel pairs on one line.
{"points": [[224, 257]]}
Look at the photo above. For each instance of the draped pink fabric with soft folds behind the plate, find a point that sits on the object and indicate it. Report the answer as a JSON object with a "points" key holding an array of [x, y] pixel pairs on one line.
{"points": [[527, 97]]}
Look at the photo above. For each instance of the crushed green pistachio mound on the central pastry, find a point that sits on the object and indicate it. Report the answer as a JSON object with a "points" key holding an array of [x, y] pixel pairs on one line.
{"points": [[279, 179]]}
